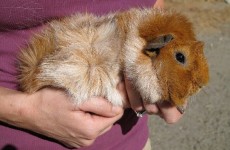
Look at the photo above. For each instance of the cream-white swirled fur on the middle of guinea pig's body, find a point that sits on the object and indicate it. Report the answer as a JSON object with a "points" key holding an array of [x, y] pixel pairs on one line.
{"points": [[89, 59]]}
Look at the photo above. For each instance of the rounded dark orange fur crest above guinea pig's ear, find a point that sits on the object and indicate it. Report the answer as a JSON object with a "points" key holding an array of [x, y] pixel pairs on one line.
{"points": [[173, 23]]}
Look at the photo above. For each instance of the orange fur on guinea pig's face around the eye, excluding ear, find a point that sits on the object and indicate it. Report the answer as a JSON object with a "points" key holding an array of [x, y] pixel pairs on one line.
{"points": [[181, 81]]}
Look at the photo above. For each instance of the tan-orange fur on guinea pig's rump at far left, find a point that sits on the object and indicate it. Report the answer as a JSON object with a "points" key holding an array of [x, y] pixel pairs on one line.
{"points": [[30, 59]]}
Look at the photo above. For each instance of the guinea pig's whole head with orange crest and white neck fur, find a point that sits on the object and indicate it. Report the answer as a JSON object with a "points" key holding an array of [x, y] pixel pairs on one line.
{"points": [[164, 60]]}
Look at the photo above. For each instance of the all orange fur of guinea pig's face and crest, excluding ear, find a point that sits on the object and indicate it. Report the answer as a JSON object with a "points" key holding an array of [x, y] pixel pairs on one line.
{"points": [[178, 82]]}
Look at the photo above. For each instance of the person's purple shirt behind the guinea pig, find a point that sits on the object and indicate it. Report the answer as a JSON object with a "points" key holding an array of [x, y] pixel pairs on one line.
{"points": [[19, 20]]}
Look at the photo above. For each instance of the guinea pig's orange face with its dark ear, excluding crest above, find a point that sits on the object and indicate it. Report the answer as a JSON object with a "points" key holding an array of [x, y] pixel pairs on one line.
{"points": [[180, 66]]}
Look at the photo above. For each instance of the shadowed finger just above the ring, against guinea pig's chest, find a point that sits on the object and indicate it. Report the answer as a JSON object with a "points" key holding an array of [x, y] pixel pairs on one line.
{"points": [[134, 97]]}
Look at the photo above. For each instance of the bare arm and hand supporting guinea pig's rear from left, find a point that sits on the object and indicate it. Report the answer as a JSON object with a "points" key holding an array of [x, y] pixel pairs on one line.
{"points": [[51, 113]]}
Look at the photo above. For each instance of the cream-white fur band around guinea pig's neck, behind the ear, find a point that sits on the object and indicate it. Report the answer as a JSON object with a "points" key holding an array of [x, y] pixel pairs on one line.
{"points": [[144, 76]]}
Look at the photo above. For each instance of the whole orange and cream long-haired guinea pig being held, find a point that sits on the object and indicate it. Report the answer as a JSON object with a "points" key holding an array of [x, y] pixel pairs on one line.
{"points": [[87, 55]]}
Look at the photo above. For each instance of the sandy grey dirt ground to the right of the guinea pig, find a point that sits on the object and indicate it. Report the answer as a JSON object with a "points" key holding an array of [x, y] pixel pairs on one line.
{"points": [[206, 123]]}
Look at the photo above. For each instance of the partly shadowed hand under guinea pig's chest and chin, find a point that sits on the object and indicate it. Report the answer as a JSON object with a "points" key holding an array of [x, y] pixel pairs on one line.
{"points": [[164, 109]]}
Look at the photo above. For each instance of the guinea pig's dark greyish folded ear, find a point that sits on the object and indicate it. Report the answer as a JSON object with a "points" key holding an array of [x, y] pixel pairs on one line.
{"points": [[153, 47]]}
